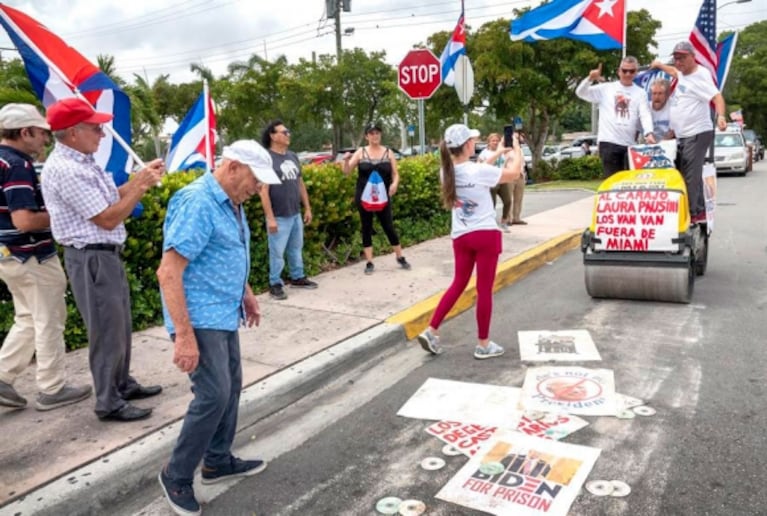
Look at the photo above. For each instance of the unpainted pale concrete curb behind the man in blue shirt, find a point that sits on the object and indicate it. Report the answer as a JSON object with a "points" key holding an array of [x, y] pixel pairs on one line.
{"points": [[98, 487]]}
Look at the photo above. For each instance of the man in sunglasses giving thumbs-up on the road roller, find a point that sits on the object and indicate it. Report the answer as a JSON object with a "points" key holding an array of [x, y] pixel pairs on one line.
{"points": [[623, 107]]}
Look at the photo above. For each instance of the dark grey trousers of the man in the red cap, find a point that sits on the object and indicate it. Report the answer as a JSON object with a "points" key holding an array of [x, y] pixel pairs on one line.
{"points": [[100, 288]]}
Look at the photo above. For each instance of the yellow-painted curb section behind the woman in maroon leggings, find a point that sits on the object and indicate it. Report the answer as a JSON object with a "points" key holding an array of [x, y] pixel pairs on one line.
{"points": [[416, 318]]}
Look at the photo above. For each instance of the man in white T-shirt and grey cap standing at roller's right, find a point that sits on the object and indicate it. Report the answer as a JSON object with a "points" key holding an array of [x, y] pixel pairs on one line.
{"points": [[691, 120]]}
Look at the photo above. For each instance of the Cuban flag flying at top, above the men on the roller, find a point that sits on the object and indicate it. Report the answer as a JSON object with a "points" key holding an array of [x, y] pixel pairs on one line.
{"points": [[600, 23]]}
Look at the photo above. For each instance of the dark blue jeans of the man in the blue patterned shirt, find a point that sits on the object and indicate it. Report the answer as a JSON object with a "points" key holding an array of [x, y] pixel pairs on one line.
{"points": [[211, 419]]}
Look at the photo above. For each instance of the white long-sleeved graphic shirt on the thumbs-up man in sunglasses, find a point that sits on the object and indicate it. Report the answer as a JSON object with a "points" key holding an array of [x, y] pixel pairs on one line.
{"points": [[623, 110]]}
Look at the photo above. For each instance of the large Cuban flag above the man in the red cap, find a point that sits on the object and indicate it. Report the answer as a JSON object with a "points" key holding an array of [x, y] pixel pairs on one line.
{"points": [[57, 71]]}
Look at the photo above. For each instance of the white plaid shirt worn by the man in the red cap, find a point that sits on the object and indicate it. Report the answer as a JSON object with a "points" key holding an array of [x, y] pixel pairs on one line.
{"points": [[76, 189]]}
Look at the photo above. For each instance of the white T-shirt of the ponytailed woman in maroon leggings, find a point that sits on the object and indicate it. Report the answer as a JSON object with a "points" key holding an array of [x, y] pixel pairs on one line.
{"points": [[474, 209]]}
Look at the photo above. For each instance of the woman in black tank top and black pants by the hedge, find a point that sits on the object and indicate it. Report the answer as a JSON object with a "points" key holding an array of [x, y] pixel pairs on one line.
{"points": [[375, 157]]}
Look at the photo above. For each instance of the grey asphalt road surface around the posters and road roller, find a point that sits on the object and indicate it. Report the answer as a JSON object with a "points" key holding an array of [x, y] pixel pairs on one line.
{"points": [[701, 366]]}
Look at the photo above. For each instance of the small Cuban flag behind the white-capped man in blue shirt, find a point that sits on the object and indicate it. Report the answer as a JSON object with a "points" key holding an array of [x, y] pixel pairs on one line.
{"points": [[194, 143]]}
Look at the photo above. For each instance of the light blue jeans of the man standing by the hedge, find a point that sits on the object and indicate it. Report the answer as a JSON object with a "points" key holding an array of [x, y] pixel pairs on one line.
{"points": [[287, 241]]}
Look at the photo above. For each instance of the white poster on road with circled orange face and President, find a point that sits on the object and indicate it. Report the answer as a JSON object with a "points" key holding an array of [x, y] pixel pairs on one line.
{"points": [[572, 390]]}
